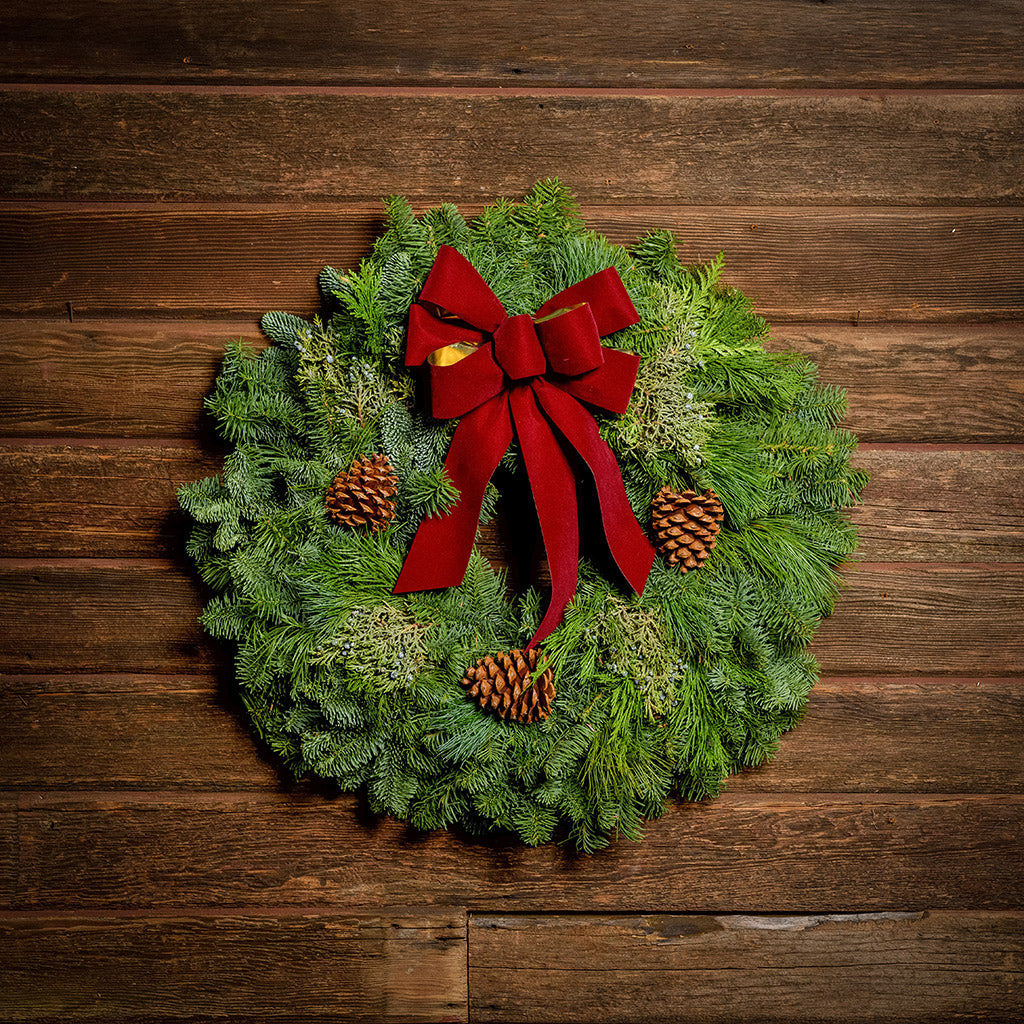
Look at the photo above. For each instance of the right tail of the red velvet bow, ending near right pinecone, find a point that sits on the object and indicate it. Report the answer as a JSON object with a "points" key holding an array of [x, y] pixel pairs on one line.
{"points": [[627, 541]]}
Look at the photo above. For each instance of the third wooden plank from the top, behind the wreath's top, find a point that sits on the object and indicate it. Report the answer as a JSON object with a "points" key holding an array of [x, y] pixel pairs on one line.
{"points": [[849, 265]]}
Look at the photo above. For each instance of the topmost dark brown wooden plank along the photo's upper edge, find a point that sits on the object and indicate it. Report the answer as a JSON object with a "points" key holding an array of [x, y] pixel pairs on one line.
{"points": [[879, 42]]}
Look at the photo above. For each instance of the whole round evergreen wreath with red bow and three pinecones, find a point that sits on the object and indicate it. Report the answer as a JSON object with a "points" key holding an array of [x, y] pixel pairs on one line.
{"points": [[605, 405]]}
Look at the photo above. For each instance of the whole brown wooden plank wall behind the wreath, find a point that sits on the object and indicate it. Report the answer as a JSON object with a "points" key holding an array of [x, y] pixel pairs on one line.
{"points": [[172, 170]]}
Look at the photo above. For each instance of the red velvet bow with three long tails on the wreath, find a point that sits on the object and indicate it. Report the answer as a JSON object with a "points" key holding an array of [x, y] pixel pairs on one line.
{"points": [[529, 379]]}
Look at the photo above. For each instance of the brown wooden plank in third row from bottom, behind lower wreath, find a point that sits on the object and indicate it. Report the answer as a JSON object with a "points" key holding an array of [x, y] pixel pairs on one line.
{"points": [[861, 736]]}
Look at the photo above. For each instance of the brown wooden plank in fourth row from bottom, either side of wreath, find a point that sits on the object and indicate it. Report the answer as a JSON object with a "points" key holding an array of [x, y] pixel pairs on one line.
{"points": [[142, 617]]}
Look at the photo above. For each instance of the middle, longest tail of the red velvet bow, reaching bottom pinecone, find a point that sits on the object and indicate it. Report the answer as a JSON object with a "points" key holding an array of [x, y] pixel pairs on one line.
{"points": [[553, 487]]}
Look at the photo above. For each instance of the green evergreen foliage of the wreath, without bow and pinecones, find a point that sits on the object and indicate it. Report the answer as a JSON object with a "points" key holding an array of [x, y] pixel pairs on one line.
{"points": [[668, 693]]}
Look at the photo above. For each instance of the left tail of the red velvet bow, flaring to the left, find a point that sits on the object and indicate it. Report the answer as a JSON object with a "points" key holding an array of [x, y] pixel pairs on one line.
{"points": [[443, 545]]}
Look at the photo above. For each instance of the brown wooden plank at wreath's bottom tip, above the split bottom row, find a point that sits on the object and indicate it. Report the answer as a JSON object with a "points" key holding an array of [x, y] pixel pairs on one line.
{"points": [[741, 854]]}
